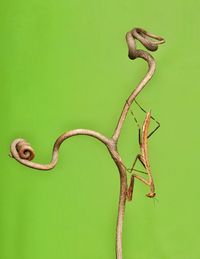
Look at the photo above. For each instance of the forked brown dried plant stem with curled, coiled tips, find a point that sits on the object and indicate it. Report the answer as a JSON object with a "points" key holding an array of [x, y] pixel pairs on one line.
{"points": [[23, 152]]}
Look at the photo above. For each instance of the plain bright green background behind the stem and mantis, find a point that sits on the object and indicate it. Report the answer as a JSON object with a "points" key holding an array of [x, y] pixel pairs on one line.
{"points": [[64, 65]]}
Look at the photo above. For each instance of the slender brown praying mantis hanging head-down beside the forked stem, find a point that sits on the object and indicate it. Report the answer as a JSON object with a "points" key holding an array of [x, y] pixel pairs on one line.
{"points": [[143, 156]]}
